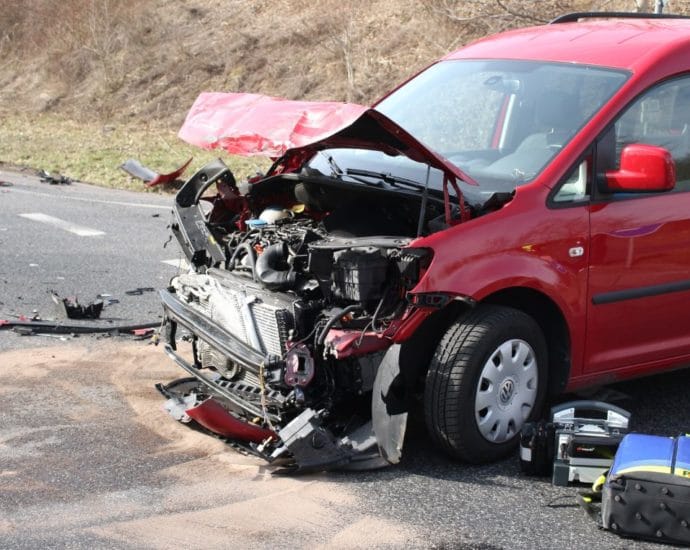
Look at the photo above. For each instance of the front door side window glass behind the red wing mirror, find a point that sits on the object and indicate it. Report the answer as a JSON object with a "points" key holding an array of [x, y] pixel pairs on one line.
{"points": [[660, 117]]}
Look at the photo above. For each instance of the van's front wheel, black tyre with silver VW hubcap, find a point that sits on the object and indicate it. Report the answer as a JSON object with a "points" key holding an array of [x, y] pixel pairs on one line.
{"points": [[453, 400]]}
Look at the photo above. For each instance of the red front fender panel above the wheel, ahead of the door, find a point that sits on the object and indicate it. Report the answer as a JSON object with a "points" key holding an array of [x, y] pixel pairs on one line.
{"points": [[481, 257]]}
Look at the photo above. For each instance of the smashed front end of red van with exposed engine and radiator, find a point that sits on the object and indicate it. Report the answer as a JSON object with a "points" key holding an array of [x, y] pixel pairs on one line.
{"points": [[298, 296]]}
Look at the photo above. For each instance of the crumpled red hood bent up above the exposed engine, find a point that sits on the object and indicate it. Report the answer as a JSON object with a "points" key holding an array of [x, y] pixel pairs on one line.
{"points": [[251, 124]]}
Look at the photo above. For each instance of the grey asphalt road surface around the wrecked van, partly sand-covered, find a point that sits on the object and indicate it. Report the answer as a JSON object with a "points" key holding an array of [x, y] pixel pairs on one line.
{"points": [[88, 460]]}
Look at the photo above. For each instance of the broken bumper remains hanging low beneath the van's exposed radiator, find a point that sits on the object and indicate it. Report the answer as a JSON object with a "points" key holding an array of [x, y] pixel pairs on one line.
{"points": [[302, 444]]}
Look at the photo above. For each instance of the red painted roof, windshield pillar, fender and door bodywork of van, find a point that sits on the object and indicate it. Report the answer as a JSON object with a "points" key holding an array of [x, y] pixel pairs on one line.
{"points": [[630, 244]]}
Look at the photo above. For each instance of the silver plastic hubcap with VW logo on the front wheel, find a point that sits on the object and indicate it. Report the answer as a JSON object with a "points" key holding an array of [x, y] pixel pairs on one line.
{"points": [[507, 391]]}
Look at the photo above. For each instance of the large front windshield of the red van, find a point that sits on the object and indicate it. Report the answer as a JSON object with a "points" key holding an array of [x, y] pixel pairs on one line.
{"points": [[500, 121]]}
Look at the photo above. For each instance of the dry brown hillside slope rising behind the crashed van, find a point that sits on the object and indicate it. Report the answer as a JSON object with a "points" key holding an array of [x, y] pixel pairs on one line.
{"points": [[149, 59]]}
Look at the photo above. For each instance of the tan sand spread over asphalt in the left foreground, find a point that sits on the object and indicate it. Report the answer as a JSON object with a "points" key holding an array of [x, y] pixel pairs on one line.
{"points": [[88, 458]]}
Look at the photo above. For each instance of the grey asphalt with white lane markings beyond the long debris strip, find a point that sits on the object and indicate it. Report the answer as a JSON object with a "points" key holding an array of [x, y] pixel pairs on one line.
{"points": [[82, 241]]}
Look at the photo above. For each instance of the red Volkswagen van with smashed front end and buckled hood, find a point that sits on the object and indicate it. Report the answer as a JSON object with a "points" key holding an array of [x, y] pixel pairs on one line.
{"points": [[506, 225]]}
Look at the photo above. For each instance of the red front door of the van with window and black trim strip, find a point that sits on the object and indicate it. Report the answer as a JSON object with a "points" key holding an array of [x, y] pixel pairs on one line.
{"points": [[639, 272]]}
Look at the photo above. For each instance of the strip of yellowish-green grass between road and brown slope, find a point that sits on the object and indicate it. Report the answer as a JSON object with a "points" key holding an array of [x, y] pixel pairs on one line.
{"points": [[93, 153]]}
